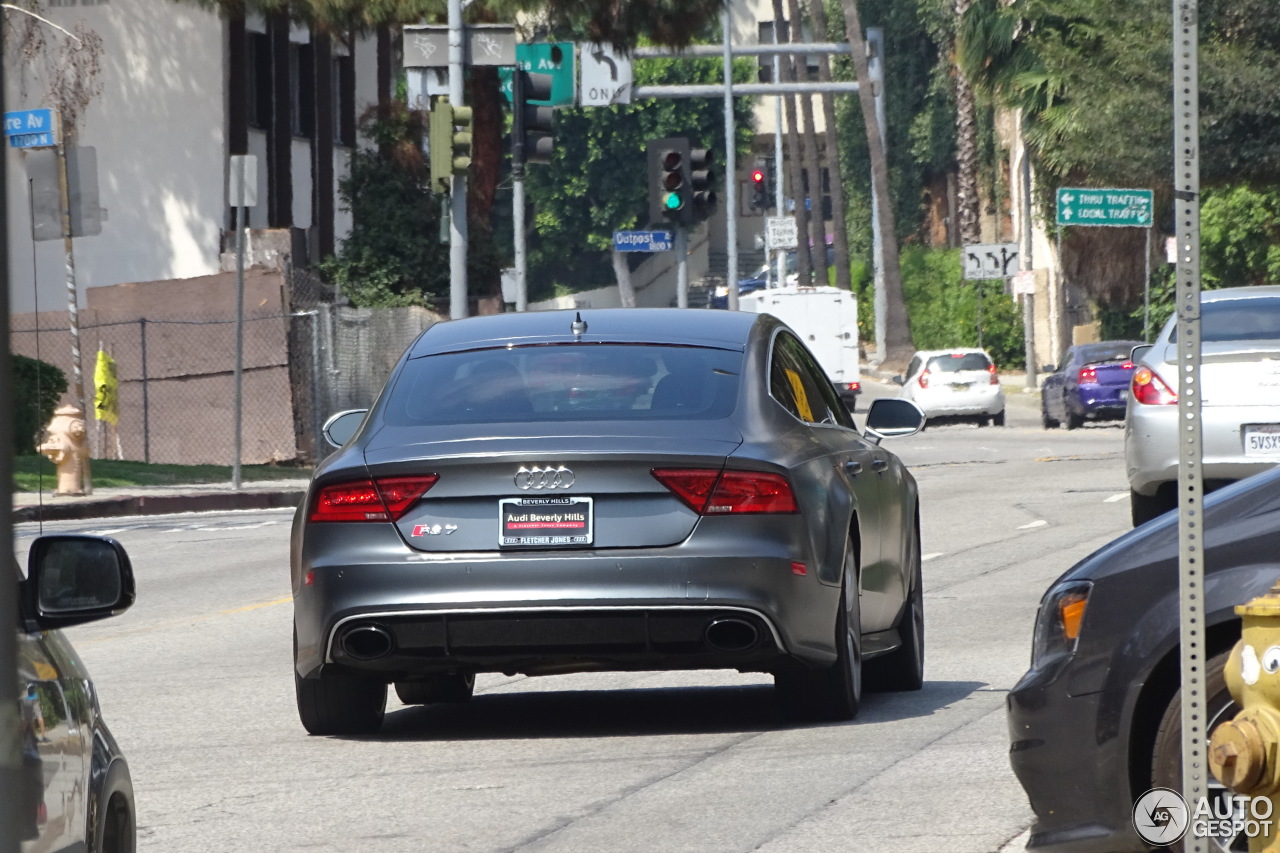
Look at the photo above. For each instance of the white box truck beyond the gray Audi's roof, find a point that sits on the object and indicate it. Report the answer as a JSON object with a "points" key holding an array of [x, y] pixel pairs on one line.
{"points": [[826, 320]]}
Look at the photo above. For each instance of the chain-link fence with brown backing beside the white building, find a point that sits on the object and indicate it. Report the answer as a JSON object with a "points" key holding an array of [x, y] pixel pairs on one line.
{"points": [[176, 375]]}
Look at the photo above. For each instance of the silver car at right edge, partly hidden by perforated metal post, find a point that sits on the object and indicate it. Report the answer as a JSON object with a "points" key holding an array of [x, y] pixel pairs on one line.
{"points": [[1240, 403]]}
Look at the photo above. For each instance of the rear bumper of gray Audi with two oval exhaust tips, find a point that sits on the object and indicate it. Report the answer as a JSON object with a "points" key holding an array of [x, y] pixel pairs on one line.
{"points": [[619, 610]]}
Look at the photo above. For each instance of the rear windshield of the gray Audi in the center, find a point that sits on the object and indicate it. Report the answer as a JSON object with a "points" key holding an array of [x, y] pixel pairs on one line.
{"points": [[566, 382]]}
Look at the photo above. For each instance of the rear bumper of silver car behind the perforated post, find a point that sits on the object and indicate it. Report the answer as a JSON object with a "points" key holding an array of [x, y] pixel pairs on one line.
{"points": [[1151, 445]]}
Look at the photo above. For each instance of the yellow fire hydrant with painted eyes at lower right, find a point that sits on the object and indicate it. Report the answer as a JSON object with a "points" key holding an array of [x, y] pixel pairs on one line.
{"points": [[1245, 754]]}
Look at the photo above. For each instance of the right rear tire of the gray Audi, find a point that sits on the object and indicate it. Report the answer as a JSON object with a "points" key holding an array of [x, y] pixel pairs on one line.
{"points": [[834, 694]]}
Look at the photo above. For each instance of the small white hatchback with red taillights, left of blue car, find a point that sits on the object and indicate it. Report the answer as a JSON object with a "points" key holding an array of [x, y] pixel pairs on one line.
{"points": [[956, 384]]}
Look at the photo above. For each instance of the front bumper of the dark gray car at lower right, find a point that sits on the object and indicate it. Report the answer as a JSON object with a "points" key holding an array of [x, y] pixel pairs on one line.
{"points": [[1077, 782]]}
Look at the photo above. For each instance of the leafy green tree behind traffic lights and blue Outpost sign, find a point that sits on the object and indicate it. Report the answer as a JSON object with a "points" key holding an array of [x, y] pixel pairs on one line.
{"points": [[598, 180]]}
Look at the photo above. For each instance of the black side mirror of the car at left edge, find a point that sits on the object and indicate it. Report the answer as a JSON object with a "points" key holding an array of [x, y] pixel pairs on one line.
{"points": [[76, 580]]}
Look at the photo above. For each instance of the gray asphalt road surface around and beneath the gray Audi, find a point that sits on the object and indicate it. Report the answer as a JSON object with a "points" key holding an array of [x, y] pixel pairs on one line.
{"points": [[196, 683]]}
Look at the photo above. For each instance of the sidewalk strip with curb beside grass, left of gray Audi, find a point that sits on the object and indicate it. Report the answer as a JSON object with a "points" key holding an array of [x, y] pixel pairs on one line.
{"points": [[158, 500]]}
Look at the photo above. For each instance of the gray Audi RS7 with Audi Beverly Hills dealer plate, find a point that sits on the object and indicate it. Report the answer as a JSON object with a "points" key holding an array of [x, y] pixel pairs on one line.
{"points": [[615, 490]]}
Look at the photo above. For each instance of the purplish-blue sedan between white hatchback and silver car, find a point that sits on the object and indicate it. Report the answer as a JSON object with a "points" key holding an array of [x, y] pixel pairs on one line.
{"points": [[1091, 384]]}
